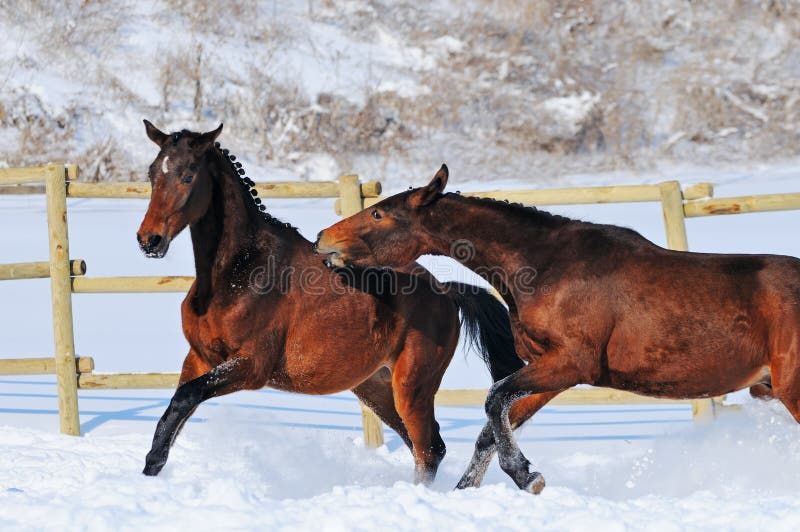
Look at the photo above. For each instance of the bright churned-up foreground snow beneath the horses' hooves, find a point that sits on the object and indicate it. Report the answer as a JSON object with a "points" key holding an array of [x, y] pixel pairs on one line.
{"points": [[233, 472]]}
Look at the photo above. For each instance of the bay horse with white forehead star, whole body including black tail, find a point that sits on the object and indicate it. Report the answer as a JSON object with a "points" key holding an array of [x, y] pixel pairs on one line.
{"points": [[265, 311]]}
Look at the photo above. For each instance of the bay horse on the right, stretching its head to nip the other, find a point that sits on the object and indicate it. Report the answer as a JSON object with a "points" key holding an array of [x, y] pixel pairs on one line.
{"points": [[605, 307]]}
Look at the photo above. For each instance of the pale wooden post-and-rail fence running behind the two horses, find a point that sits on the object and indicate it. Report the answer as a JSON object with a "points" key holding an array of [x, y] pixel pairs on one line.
{"points": [[68, 277]]}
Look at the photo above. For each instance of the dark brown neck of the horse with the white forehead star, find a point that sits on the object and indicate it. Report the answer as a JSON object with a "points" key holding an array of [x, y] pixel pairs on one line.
{"points": [[231, 227]]}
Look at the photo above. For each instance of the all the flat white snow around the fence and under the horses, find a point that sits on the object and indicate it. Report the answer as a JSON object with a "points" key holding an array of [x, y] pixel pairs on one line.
{"points": [[269, 460]]}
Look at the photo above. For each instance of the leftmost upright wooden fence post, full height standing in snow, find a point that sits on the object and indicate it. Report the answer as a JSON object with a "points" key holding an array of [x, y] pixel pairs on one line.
{"points": [[61, 296]]}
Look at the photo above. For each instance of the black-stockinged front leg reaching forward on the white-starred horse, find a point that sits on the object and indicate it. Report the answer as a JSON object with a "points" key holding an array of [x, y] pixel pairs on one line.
{"points": [[230, 376]]}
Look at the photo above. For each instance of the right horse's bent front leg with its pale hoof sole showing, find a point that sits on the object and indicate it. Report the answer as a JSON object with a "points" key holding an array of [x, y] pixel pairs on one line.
{"points": [[553, 372]]}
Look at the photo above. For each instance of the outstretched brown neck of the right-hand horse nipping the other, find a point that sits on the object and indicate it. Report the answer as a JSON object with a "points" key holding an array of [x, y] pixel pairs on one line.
{"points": [[493, 240]]}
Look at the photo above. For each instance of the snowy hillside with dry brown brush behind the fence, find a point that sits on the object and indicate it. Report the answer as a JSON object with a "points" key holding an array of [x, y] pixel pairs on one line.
{"points": [[389, 90]]}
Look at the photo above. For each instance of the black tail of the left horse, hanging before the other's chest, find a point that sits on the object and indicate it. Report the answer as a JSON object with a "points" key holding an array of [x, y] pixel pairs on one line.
{"points": [[488, 328]]}
